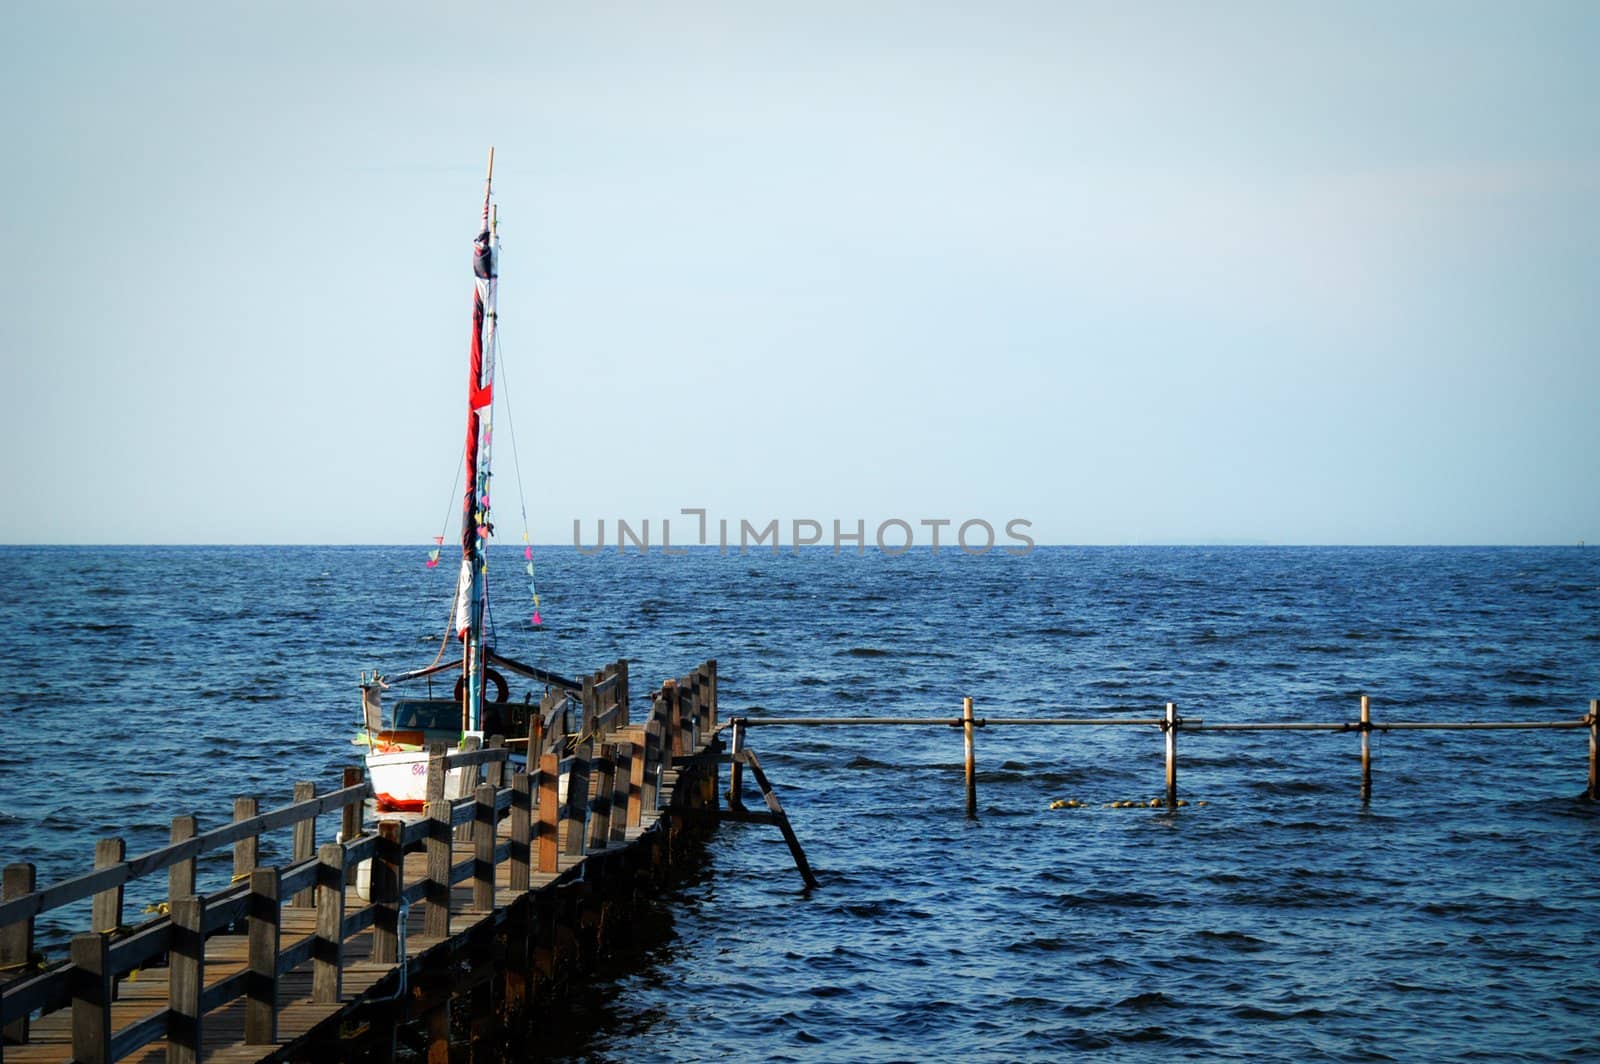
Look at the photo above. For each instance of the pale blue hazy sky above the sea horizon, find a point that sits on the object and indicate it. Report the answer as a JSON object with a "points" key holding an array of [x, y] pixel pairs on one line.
{"points": [[1134, 273]]}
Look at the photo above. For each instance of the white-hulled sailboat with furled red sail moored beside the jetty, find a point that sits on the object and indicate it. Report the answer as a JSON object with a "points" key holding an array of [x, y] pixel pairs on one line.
{"points": [[399, 750]]}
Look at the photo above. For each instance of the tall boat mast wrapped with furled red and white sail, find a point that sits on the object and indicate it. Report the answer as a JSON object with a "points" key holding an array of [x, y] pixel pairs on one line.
{"points": [[473, 588]]}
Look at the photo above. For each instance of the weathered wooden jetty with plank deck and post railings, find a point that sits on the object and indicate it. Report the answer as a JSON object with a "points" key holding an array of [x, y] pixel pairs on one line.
{"points": [[234, 951]]}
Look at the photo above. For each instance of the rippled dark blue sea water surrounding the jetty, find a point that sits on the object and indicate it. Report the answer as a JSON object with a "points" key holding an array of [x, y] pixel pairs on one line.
{"points": [[1458, 918]]}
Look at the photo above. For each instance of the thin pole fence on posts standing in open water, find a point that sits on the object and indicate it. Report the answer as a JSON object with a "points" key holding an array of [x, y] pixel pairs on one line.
{"points": [[1170, 724]]}
